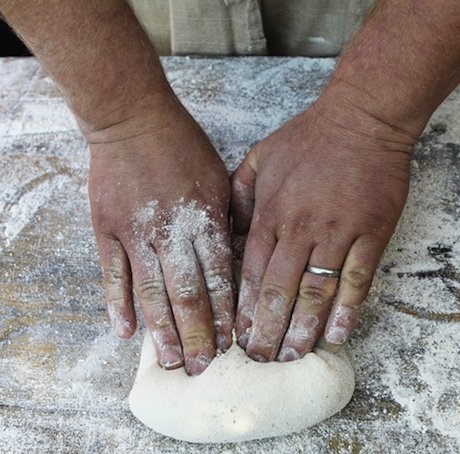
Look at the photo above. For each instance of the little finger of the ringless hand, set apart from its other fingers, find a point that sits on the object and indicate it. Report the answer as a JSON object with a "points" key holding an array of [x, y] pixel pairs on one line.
{"points": [[117, 281]]}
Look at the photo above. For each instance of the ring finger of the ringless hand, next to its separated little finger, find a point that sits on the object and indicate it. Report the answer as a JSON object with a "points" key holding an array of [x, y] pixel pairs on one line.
{"points": [[159, 319]]}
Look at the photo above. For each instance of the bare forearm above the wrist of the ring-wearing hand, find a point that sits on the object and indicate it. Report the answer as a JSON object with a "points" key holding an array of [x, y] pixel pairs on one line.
{"points": [[403, 62]]}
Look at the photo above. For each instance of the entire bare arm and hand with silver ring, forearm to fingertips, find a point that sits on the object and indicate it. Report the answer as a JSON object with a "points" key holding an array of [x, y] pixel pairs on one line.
{"points": [[327, 189]]}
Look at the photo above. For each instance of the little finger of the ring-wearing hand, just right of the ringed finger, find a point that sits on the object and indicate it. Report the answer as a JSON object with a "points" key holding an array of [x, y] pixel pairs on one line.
{"points": [[355, 281]]}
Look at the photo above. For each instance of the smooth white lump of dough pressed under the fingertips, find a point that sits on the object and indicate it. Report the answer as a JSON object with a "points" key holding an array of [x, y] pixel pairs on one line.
{"points": [[238, 399]]}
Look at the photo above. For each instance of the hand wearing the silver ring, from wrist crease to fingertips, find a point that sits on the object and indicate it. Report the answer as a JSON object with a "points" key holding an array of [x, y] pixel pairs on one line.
{"points": [[325, 190]]}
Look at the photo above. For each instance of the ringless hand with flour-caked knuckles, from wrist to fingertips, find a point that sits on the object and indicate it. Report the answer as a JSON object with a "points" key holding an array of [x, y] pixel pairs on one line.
{"points": [[159, 197]]}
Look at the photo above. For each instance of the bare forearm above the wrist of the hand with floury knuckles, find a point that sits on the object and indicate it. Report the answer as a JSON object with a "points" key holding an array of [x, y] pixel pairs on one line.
{"points": [[97, 53]]}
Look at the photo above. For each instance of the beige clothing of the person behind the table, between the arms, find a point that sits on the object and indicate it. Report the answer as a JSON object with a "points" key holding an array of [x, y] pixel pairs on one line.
{"points": [[250, 27]]}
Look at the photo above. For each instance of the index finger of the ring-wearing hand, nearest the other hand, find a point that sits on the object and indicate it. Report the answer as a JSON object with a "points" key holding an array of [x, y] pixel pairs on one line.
{"points": [[259, 248]]}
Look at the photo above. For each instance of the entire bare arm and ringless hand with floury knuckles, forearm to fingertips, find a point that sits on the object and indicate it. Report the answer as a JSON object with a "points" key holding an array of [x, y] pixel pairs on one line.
{"points": [[159, 192]]}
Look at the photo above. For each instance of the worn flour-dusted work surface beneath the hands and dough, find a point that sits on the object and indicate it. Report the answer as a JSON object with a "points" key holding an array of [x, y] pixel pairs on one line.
{"points": [[64, 379]]}
